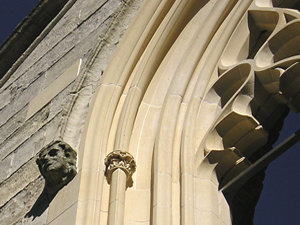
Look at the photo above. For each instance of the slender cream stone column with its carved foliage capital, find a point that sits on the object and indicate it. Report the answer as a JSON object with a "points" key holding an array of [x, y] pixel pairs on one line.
{"points": [[119, 169]]}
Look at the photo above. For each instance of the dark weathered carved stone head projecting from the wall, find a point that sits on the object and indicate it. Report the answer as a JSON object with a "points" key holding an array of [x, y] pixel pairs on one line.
{"points": [[57, 164]]}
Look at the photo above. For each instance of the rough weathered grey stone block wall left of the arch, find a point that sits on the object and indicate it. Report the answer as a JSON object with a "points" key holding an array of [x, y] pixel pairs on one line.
{"points": [[89, 26]]}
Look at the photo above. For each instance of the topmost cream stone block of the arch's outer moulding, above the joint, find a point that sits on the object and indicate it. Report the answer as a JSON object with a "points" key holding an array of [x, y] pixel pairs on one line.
{"points": [[136, 39]]}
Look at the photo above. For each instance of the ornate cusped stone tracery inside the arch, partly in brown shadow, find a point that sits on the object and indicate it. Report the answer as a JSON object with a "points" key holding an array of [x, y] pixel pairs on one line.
{"points": [[257, 100]]}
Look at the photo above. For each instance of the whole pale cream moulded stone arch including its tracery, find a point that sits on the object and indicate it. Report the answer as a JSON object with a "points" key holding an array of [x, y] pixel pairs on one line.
{"points": [[176, 94]]}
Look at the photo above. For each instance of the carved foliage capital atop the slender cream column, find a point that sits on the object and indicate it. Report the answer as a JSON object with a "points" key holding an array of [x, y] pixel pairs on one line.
{"points": [[120, 160]]}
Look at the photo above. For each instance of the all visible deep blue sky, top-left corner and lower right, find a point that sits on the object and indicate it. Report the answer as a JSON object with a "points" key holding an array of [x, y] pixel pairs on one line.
{"points": [[280, 201]]}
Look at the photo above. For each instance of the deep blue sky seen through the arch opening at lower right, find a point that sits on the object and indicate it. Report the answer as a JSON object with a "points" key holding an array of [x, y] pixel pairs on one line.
{"points": [[279, 203]]}
